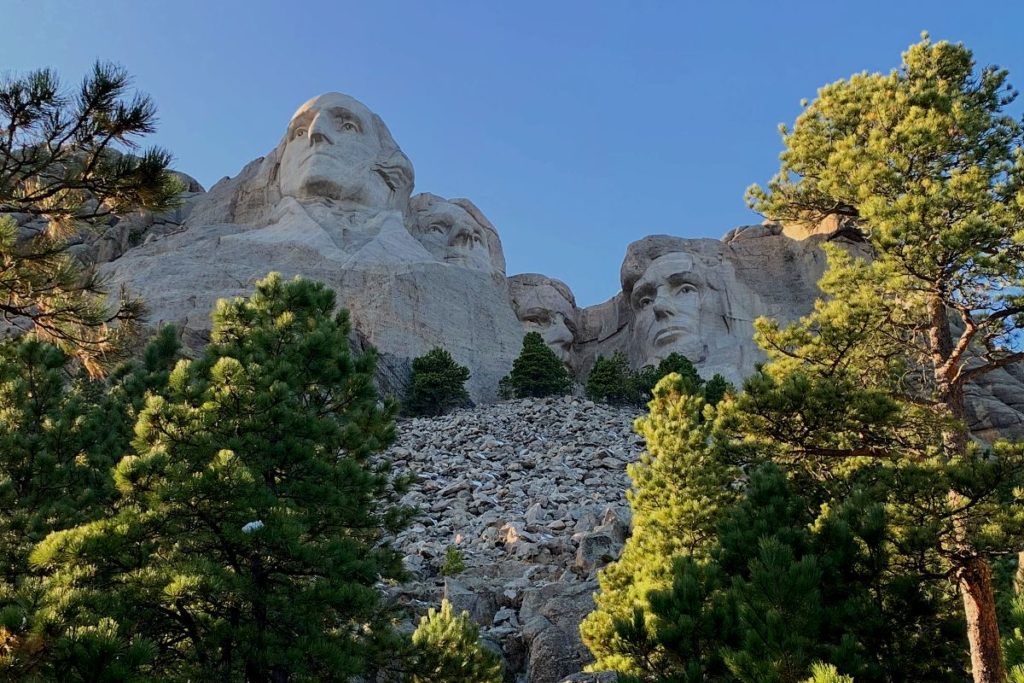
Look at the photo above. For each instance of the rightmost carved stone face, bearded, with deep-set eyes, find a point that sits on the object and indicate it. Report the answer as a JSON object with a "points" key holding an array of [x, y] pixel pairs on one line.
{"points": [[666, 304]]}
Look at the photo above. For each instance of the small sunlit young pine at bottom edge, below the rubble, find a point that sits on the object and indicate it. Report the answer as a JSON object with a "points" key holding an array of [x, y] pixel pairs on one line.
{"points": [[448, 650]]}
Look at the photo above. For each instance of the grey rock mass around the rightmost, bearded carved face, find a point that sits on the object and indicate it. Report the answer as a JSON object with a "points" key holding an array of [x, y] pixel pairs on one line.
{"points": [[701, 297]]}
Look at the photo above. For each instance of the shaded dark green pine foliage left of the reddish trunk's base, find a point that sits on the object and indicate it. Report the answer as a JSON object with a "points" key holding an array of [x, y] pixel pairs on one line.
{"points": [[789, 586]]}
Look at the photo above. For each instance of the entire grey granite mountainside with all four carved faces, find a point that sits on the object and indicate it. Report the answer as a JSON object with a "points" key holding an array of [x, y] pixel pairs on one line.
{"points": [[333, 202]]}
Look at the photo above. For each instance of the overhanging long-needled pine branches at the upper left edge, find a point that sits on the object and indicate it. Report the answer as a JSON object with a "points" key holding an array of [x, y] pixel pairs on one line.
{"points": [[63, 161]]}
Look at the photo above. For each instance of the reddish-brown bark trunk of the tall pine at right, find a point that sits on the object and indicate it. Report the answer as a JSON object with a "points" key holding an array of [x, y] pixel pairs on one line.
{"points": [[973, 576]]}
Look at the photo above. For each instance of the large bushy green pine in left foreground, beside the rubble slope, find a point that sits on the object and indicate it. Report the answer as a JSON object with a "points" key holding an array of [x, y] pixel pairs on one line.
{"points": [[247, 541]]}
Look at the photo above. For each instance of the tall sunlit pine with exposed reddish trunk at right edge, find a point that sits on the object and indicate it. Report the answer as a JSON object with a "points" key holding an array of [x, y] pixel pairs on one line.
{"points": [[930, 166]]}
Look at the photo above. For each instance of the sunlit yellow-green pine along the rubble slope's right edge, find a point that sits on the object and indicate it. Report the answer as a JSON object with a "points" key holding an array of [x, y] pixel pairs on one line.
{"points": [[680, 489]]}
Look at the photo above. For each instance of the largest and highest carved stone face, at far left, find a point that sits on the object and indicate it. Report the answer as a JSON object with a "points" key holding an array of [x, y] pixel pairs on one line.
{"points": [[337, 149]]}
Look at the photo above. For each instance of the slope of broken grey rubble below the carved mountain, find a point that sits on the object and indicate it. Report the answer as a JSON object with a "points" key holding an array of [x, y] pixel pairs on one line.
{"points": [[532, 494]]}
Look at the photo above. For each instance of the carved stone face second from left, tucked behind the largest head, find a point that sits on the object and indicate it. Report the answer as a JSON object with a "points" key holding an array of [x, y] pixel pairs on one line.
{"points": [[448, 232]]}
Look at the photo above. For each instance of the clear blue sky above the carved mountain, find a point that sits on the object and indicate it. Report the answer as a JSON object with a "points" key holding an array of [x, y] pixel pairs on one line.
{"points": [[577, 127]]}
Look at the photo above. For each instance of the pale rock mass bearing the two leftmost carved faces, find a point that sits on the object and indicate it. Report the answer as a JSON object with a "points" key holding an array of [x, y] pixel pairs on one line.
{"points": [[333, 202]]}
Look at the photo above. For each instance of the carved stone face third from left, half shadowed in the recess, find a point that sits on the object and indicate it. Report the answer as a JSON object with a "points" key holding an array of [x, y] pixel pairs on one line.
{"points": [[546, 307]]}
